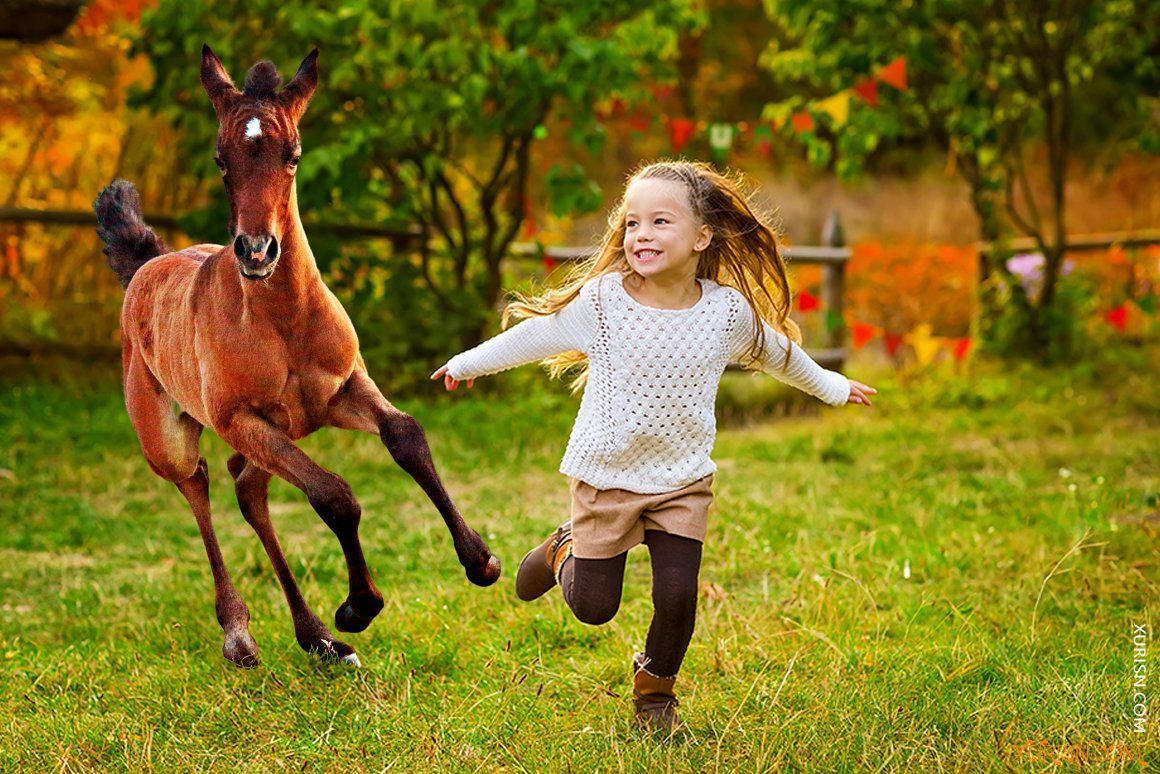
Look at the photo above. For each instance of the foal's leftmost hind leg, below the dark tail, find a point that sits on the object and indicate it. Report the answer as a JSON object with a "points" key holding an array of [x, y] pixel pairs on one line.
{"points": [[170, 444]]}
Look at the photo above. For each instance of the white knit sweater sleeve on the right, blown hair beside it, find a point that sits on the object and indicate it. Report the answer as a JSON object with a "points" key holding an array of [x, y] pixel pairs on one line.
{"points": [[802, 372]]}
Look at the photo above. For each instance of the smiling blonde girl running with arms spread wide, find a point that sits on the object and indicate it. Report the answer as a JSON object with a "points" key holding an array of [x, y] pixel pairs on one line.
{"points": [[688, 281]]}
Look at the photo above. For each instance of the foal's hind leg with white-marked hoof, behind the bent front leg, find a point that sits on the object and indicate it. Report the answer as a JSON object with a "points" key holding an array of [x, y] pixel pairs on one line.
{"points": [[252, 486]]}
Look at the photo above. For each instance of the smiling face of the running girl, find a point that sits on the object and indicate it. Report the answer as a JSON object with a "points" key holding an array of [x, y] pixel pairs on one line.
{"points": [[663, 237]]}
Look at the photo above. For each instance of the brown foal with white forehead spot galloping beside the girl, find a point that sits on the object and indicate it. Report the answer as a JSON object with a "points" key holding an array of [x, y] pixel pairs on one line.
{"points": [[250, 342]]}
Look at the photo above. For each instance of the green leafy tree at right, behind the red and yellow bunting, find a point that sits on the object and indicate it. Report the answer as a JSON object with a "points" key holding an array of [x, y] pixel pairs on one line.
{"points": [[988, 83]]}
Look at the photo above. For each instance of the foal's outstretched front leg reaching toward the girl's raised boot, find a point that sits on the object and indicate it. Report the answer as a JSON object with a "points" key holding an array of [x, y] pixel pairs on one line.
{"points": [[361, 407]]}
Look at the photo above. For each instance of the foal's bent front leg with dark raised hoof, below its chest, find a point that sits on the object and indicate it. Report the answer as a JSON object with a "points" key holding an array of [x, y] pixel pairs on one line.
{"points": [[266, 446]]}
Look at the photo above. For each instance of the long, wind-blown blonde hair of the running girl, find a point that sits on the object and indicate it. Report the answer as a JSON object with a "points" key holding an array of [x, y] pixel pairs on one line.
{"points": [[743, 255]]}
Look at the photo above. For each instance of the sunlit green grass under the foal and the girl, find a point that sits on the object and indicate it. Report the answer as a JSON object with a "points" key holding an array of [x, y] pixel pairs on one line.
{"points": [[946, 582]]}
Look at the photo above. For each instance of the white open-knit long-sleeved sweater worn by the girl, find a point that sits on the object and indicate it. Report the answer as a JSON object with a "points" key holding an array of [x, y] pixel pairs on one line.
{"points": [[647, 421]]}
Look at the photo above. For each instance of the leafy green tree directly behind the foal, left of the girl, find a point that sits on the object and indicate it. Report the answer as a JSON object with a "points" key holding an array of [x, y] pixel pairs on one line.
{"points": [[429, 113]]}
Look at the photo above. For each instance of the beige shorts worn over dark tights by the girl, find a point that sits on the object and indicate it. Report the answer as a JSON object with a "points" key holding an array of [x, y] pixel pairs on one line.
{"points": [[610, 523]]}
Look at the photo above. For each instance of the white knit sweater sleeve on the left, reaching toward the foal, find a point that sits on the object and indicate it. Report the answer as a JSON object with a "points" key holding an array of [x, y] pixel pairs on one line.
{"points": [[571, 329]]}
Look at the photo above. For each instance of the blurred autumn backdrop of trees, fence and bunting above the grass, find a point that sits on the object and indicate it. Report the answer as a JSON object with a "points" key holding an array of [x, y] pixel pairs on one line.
{"points": [[989, 170]]}
